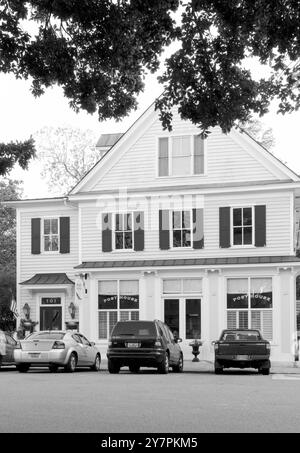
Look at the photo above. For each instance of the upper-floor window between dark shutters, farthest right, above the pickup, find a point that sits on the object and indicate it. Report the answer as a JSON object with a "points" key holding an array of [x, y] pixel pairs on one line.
{"points": [[242, 226]]}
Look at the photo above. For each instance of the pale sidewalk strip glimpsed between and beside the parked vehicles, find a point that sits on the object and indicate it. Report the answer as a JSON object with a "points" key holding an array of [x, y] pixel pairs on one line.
{"points": [[205, 366]]}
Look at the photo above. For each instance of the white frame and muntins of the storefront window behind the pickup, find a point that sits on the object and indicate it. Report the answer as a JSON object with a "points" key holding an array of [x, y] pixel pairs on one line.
{"points": [[249, 310]]}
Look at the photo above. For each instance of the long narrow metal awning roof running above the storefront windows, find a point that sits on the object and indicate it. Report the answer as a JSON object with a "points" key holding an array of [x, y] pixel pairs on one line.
{"points": [[248, 260]]}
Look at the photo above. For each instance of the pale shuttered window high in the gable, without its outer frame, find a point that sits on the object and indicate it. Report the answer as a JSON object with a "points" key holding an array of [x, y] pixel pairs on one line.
{"points": [[181, 155]]}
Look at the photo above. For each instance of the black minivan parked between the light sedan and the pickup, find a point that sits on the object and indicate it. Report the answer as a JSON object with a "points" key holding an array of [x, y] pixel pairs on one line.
{"points": [[144, 344]]}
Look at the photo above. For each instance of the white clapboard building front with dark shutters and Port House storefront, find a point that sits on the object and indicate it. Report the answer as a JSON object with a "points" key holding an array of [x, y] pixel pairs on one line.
{"points": [[200, 233]]}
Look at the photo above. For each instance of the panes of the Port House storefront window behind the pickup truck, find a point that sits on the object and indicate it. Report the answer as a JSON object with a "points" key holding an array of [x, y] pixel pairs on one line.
{"points": [[249, 304]]}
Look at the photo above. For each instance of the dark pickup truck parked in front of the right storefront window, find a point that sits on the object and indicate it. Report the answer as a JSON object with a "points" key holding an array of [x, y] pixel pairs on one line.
{"points": [[242, 348]]}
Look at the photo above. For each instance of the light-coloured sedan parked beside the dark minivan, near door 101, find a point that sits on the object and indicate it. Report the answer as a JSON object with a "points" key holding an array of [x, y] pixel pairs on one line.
{"points": [[56, 349]]}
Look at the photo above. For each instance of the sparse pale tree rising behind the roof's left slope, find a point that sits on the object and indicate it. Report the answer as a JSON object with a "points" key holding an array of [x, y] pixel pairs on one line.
{"points": [[65, 154]]}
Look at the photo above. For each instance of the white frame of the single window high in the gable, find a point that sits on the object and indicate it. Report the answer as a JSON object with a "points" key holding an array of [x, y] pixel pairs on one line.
{"points": [[170, 157]]}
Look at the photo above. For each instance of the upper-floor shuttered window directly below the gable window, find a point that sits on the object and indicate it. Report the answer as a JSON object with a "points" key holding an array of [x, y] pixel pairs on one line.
{"points": [[181, 230]]}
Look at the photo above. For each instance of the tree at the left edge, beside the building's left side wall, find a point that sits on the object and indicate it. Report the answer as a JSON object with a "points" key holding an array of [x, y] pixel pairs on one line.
{"points": [[9, 190]]}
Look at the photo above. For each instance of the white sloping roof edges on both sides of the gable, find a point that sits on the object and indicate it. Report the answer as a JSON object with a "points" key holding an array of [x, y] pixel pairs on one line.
{"points": [[146, 119]]}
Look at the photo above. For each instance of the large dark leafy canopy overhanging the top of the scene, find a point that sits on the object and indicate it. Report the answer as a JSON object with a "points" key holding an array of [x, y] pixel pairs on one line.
{"points": [[99, 52]]}
